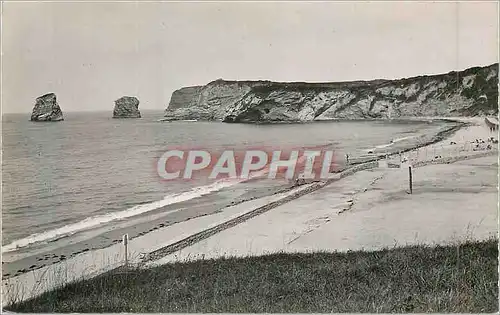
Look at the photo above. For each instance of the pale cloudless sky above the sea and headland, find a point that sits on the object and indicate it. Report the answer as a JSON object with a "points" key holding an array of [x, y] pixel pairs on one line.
{"points": [[91, 54]]}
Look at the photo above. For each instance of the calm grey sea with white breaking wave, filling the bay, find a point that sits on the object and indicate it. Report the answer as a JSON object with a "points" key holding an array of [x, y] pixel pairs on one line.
{"points": [[72, 179]]}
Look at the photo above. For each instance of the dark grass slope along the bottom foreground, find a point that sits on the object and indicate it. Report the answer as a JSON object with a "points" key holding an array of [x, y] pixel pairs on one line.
{"points": [[408, 279]]}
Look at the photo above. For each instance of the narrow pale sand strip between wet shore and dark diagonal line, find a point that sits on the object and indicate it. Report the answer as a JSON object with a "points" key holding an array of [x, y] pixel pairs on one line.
{"points": [[92, 263]]}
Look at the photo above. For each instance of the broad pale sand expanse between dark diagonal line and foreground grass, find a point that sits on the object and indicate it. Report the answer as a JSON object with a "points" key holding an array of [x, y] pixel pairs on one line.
{"points": [[454, 199]]}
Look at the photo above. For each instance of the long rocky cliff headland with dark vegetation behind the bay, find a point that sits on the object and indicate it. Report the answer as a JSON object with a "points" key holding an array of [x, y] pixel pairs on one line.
{"points": [[466, 93]]}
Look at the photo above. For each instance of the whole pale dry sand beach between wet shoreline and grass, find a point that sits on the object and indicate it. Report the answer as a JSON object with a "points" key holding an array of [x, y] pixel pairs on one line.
{"points": [[369, 209]]}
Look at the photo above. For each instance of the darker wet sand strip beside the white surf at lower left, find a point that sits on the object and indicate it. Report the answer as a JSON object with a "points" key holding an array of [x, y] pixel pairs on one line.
{"points": [[25, 260]]}
